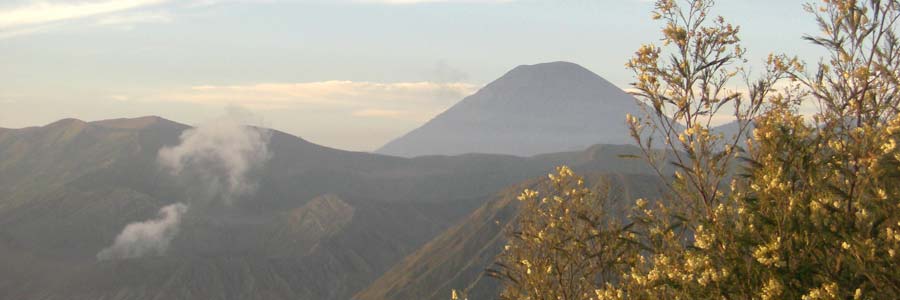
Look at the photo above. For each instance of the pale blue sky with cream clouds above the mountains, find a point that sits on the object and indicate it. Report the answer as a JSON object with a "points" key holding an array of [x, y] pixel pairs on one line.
{"points": [[349, 74]]}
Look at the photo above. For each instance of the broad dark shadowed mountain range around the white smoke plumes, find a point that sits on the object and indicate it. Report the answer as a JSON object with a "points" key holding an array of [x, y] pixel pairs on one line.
{"points": [[323, 223]]}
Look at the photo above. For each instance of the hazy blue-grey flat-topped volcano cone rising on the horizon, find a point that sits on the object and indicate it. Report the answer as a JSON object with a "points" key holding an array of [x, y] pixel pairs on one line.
{"points": [[532, 109]]}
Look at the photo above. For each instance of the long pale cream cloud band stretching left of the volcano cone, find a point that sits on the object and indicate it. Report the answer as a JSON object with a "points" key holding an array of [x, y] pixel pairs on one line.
{"points": [[355, 98]]}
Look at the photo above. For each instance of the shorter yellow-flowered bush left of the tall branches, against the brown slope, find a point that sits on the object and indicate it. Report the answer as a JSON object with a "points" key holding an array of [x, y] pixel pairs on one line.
{"points": [[564, 244]]}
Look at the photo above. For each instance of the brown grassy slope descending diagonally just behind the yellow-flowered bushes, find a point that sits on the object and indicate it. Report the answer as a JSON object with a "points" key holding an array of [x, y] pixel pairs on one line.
{"points": [[457, 258]]}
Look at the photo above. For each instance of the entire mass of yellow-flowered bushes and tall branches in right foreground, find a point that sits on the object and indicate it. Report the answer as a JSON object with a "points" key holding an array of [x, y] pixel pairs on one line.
{"points": [[813, 210]]}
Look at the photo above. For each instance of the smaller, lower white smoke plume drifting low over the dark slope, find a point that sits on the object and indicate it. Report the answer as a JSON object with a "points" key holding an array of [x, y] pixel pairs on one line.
{"points": [[151, 237]]}
